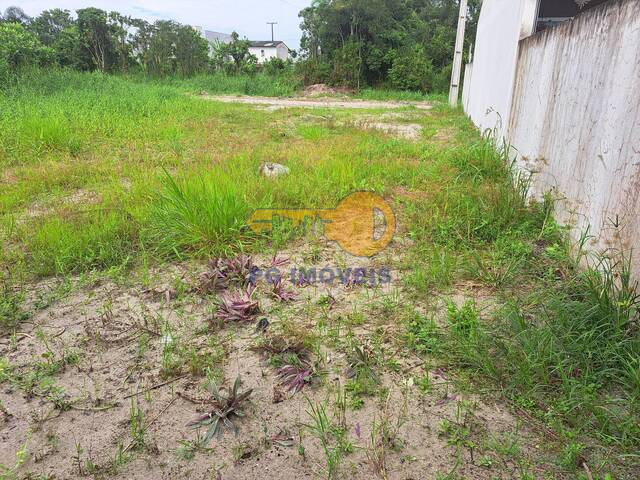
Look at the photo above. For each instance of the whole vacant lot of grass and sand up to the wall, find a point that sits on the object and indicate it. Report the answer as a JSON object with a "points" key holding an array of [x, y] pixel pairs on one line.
{"points": [[133, 345]]}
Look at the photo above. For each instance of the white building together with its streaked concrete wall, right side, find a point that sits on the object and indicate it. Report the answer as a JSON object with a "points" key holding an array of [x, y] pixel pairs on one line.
{"points": [[558, 83]]}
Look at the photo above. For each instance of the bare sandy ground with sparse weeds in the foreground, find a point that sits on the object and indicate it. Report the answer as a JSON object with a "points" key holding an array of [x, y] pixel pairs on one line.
{"points": [[106, 325]]}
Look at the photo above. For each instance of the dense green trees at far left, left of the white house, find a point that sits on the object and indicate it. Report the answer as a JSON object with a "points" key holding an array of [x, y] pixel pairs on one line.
{"points": [[100, 40]]}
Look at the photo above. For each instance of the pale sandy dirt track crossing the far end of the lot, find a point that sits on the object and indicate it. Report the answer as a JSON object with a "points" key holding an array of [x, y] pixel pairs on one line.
{"points": [[317, 102]]}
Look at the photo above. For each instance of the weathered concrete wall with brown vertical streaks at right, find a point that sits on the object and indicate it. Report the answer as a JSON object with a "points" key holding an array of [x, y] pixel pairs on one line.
{"points": [[575, 120]]}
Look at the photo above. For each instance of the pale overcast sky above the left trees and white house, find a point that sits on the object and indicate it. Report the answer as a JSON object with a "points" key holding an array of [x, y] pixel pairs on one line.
{"points": [[247, 17]]}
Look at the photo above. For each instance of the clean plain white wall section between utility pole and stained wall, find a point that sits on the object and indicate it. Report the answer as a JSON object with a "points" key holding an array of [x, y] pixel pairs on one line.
{"points": [[501, 25]]}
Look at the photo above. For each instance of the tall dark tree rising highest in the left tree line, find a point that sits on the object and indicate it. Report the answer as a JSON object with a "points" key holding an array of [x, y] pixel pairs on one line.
{"points": [[95, 36]]}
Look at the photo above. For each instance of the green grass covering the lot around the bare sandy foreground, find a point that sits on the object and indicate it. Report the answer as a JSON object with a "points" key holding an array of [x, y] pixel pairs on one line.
{"points": [[101, 172]]}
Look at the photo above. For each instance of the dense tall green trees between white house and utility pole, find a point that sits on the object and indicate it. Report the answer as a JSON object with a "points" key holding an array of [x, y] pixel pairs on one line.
{"points": [[407, 44]]}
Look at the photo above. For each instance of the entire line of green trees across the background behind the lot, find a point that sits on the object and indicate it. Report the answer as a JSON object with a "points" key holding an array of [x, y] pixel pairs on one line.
{"points": [[403, 44]]}
